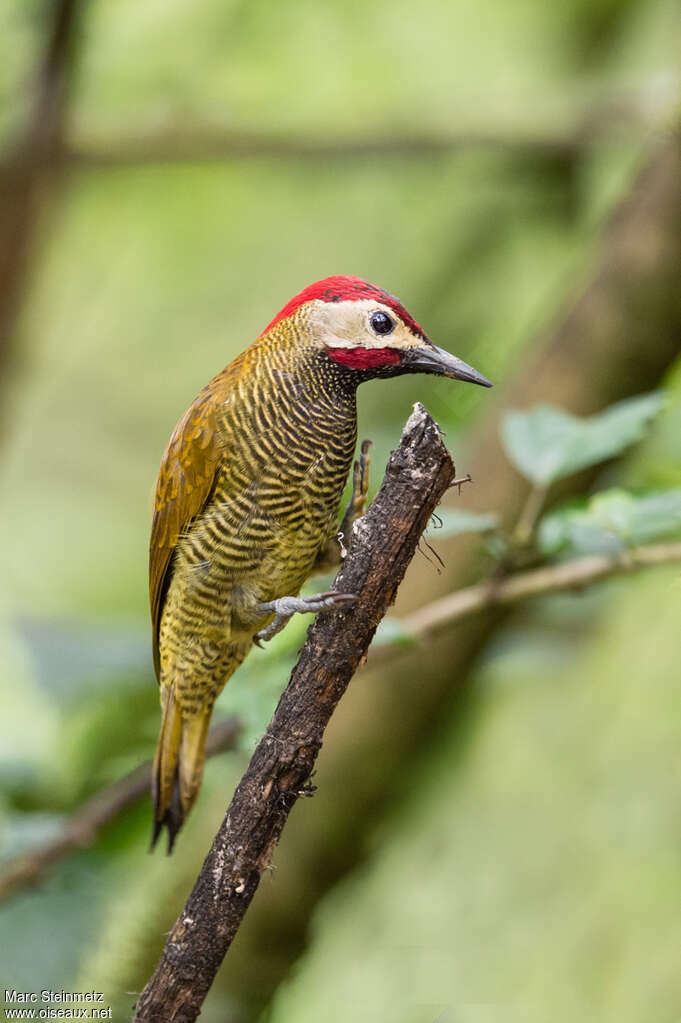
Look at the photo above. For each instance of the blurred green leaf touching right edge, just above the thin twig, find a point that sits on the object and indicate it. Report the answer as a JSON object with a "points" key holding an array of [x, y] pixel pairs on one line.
{"points": [[612, 521]]}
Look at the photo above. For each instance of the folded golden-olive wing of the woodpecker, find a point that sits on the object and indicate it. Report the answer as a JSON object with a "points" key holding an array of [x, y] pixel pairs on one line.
{"points": [[186, 481]]}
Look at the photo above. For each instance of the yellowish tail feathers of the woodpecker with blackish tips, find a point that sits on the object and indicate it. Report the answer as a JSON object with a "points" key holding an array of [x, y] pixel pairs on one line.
{"points": [[178, 767]]}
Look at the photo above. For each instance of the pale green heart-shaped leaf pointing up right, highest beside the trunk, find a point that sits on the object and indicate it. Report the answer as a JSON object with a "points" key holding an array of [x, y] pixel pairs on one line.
{"points": [[546, 443]]}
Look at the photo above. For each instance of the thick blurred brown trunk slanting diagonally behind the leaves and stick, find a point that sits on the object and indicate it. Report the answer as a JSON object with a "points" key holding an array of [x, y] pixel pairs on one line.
{"points": [[617, 336]]}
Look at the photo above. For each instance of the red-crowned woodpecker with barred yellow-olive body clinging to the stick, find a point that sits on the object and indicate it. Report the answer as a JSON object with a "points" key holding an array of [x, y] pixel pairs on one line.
{"points": [[248, 497]]}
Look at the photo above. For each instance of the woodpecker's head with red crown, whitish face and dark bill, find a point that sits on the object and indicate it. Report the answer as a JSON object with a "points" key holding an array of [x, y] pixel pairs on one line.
{"points": [[369, 332]]}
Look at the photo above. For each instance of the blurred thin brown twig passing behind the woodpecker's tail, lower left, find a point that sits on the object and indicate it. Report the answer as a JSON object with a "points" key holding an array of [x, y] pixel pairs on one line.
{"points": [[82, 828]]}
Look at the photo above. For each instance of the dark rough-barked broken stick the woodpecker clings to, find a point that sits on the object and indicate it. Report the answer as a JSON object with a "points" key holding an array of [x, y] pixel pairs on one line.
{"points": [[384, 544]]}
